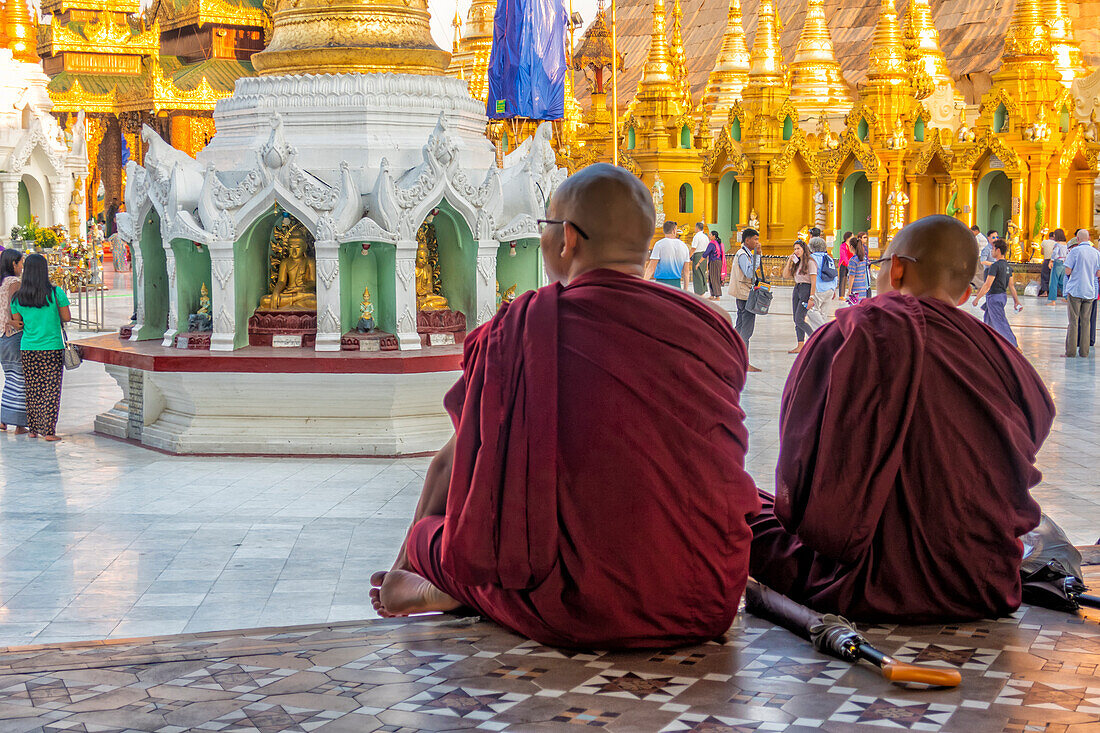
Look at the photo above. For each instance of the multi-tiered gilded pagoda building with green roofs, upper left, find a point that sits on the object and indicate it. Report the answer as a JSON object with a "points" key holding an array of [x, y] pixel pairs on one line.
{"points": [[125, 68]]}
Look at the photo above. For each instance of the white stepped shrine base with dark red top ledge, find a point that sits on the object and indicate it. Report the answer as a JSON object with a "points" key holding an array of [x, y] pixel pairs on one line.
{"points": [[276, 401]]}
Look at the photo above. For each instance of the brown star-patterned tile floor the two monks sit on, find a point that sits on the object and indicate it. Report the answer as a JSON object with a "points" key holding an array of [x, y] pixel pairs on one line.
{"points": [[1036, 671]]}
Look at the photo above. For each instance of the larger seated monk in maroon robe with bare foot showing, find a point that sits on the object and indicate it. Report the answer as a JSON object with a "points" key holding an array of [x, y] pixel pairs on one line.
{"points": [[595, 494]]}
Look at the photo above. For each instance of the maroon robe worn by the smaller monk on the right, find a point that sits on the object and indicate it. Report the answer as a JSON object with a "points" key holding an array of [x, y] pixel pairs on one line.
{"points": [[908, 440]]}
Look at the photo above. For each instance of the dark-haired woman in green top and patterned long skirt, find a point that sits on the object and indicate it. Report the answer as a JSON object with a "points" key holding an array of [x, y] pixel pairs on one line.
{"points": [[41, 309]]}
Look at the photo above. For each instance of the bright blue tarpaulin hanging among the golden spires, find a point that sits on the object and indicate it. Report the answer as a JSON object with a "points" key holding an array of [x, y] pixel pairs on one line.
{"points": [[527, 67]]}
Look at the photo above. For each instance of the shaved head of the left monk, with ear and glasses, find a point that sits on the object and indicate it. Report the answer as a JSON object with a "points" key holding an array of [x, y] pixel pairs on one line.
{"points": [[615, 213]]}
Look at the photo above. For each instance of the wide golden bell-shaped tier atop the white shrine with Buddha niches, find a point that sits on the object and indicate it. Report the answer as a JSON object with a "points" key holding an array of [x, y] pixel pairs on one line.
{"points": [[366, 37]]}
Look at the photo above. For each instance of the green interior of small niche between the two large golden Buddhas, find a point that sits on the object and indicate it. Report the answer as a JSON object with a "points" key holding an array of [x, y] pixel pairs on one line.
{"points": [[375, 271]]}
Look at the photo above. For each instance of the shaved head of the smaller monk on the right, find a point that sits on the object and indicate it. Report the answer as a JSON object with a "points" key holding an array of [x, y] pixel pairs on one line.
{"points": [[944, 251]]}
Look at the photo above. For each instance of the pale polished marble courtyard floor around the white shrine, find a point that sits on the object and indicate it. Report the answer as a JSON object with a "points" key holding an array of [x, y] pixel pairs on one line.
{"points": [[103, 540]]}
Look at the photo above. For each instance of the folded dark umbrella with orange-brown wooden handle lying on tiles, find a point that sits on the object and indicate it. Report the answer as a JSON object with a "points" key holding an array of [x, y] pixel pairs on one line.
{"points": [[835, 636]]}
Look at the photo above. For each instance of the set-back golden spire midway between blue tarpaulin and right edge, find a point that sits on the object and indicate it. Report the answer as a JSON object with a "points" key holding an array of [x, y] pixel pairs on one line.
{"points": [[816, 74]]}
